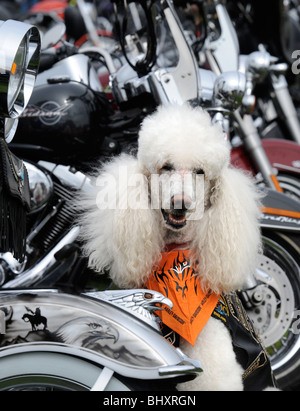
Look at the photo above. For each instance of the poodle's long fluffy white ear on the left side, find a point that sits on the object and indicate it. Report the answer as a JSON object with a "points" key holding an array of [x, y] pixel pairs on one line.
{"points": [[118, 225]]}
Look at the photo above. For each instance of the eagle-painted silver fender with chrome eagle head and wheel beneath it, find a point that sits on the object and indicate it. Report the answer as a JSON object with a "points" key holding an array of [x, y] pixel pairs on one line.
{"points": [[51, 341]]}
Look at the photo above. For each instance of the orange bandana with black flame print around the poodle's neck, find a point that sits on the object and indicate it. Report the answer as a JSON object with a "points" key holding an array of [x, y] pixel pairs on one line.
{"points": [[177, 280]]}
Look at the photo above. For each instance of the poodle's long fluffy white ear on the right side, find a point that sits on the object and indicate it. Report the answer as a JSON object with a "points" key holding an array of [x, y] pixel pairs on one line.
{"points": [[228, 237]]}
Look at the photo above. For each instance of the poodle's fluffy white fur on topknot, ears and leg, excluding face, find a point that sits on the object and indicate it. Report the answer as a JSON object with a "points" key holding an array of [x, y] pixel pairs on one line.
{"points": [[128, 241]]}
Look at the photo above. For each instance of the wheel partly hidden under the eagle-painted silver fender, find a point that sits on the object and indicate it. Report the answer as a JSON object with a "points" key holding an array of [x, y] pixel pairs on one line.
{"points": [[48, 371]]}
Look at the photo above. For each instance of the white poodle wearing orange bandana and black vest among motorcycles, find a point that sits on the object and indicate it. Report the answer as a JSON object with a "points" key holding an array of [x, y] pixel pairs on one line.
{"points": [[180, 194]]}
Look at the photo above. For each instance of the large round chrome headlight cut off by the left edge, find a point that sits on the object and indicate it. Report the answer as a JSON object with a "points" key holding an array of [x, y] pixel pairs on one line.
{"points": [[19, 63]]}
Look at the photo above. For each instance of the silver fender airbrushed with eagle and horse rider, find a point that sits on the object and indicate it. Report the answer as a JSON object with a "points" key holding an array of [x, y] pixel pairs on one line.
{"points": [[101, 331]]}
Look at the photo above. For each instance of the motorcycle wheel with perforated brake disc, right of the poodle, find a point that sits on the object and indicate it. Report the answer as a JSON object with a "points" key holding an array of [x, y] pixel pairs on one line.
{"points": [[273, 303]]}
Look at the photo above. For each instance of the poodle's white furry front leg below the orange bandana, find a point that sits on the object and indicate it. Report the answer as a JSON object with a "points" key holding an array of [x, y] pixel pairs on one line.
{"points": [[213, 348]]}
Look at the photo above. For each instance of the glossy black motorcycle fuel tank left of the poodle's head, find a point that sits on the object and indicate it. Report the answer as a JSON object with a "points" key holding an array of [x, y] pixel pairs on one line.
{"points": [[64, 116]]}
